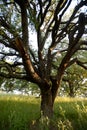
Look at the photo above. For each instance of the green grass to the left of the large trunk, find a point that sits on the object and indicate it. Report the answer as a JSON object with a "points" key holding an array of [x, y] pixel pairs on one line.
{"points": [[16, 112]]}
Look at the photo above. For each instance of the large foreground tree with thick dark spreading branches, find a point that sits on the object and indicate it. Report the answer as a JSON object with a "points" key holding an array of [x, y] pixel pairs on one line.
{"points": [[46, 17]]}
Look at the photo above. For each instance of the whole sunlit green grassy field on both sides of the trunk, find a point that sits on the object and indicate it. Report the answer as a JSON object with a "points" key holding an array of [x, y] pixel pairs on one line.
{"points": [[20, 112]]}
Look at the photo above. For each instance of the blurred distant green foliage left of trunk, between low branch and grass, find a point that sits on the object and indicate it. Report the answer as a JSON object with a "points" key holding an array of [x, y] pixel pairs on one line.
{"points": [[18, 86]]}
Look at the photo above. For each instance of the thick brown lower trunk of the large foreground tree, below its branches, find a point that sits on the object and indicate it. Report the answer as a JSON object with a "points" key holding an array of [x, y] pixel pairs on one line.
{"points": [[48, 95]]}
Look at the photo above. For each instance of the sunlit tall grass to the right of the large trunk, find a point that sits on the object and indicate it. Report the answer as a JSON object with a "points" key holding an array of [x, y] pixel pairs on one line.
{"points": [[72, 110]]}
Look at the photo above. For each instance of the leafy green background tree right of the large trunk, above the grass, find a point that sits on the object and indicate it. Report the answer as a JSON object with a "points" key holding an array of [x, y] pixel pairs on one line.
{"points": [[74, 82]]}
